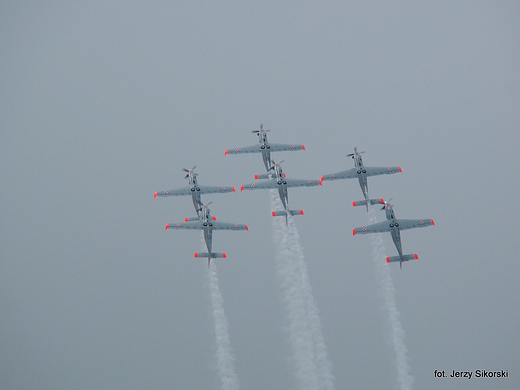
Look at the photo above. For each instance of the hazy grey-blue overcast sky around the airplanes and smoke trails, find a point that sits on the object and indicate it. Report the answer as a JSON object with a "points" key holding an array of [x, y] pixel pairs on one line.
{"points": [[103, 103]]}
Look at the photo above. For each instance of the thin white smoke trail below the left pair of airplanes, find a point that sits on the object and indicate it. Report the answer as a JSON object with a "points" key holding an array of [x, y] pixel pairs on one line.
{"points": [[224, 354]]}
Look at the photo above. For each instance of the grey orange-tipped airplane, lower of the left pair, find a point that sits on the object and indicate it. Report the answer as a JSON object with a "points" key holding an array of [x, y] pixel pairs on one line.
{"points": [[207, 223]]}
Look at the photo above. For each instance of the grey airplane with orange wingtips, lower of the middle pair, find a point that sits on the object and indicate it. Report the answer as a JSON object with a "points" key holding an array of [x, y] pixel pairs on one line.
{"points": [[277, 180]]}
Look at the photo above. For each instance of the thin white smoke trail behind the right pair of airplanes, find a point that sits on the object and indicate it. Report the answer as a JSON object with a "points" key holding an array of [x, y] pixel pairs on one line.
{"points": [[387, 292]]}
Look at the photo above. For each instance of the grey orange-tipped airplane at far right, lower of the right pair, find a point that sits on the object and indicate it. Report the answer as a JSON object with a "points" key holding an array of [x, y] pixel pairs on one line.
{"points": [[394, 226]]}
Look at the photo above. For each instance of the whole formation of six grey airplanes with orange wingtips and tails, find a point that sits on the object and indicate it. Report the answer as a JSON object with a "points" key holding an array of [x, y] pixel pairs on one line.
{"points": [[275, 178]]}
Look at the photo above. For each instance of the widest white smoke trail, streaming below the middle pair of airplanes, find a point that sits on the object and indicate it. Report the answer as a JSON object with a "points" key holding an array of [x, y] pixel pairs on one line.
{"points": [[313, 368]]}
